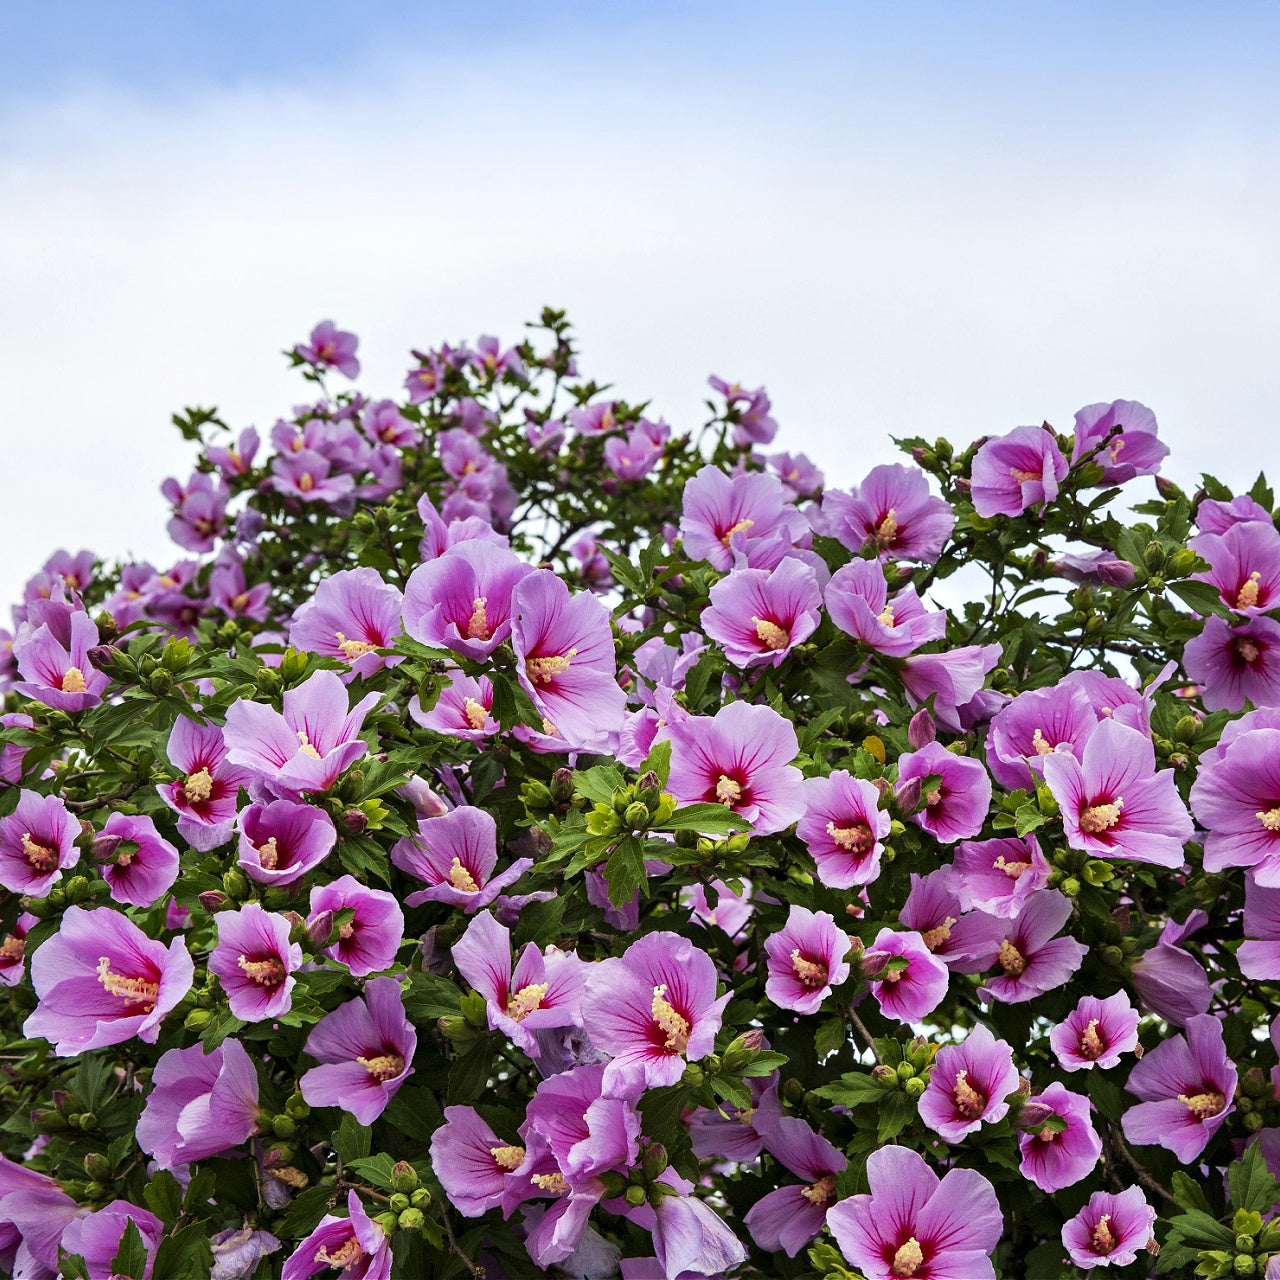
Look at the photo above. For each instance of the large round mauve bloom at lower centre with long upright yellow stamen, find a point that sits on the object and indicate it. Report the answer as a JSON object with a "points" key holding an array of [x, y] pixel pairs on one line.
{"points": [[655, 1009]]}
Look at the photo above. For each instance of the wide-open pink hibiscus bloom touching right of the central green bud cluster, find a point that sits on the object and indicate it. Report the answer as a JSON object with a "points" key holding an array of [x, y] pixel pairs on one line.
{"points": [[739, 758]]}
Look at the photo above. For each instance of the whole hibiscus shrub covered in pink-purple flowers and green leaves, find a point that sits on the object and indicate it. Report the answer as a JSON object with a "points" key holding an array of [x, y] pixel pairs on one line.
{"points": [[528, 838]]}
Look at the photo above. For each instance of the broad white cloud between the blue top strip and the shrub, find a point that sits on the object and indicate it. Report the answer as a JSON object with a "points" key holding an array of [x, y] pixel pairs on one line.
{"points": [[879, 275]]}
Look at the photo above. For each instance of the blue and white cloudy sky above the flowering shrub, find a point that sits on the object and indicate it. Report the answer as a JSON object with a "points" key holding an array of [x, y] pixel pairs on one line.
{"points": [[913, 218]]}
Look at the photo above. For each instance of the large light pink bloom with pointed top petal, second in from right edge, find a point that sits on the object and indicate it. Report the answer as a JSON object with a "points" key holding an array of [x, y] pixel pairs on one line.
{"points": [[1114, 802]]}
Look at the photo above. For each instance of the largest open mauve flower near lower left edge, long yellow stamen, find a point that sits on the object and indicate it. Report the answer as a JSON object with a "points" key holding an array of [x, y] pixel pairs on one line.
{"points": [[102, 981]]}
